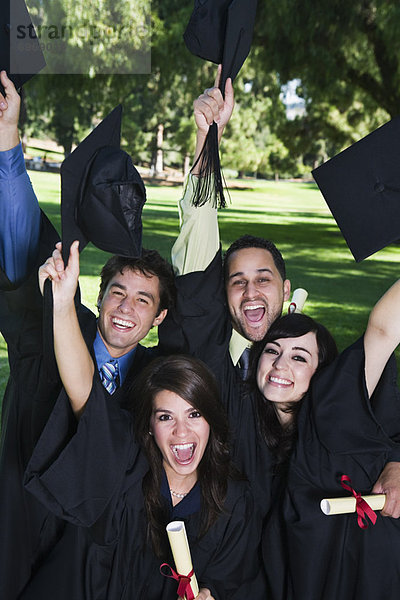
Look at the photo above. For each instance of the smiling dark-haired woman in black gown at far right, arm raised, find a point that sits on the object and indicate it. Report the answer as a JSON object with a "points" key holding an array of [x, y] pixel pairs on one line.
{"points": [[324, 416]]}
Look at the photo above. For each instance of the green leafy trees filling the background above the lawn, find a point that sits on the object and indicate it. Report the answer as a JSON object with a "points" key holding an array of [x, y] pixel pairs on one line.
{"points": [[345, 55]]}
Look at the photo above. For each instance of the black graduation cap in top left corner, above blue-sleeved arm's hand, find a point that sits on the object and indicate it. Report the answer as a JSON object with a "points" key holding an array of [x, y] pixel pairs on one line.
{"points": [[20, 52]]}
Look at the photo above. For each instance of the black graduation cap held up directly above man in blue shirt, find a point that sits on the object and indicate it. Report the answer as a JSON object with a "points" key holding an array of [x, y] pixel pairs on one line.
{"points": [[102, 194]]}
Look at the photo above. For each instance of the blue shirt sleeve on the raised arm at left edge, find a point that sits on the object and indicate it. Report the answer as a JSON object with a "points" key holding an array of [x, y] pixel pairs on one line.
{"points": [[20, 216]]}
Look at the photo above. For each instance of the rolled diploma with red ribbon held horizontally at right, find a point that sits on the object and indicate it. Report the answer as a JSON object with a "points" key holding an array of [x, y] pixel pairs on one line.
{"points": [[363, 505]]}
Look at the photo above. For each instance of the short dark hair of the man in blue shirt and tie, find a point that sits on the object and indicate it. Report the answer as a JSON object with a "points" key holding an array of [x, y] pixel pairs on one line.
{"points": [[149, 263]]}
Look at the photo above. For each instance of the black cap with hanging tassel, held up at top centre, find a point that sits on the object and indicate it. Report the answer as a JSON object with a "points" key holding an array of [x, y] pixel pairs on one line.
{"points": [[220, 31]]}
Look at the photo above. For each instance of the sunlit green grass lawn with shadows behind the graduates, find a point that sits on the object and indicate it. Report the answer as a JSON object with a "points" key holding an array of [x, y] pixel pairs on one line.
{"points": [[293, 215]]}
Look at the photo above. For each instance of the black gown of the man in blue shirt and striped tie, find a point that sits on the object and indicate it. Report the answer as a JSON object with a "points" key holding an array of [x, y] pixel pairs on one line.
{"points": [[27, 530]]}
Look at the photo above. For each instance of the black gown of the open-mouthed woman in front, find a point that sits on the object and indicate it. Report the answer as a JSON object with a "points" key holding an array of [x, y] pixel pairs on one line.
{"points": [[94, 481]]}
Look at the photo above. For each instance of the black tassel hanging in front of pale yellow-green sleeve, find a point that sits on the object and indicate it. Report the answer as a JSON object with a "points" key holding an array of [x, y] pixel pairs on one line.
{"points": [[210, 166]]}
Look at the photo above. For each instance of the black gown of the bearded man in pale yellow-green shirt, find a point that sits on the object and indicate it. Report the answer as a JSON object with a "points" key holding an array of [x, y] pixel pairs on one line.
{"points": [[200, 325]]}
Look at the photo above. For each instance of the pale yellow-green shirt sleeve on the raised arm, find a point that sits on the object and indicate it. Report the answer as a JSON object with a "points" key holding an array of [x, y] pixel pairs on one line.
{"points": [[198, 240]]}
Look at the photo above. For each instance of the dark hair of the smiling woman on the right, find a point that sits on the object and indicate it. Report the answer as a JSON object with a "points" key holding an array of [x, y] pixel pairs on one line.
{"points": [[280, 439]]}
